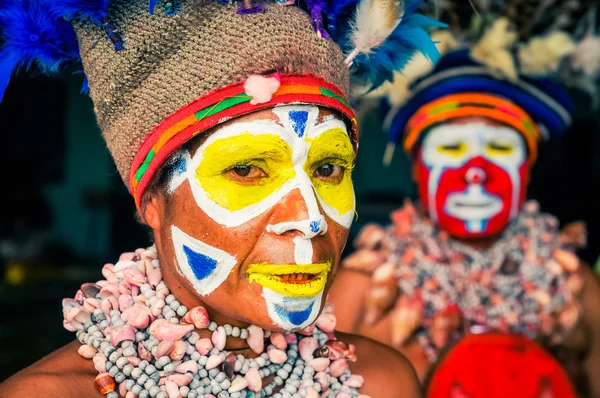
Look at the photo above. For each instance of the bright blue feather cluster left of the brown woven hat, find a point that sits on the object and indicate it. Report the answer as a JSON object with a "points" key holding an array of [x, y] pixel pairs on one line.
{"points": [[34, 31]]}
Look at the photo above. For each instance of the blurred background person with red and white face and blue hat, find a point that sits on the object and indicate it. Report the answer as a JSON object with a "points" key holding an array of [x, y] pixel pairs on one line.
{"points": [[474, 257]]}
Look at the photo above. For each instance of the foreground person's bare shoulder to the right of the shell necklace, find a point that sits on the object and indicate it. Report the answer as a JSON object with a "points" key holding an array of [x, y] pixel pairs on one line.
{"points": [[387, 373]]}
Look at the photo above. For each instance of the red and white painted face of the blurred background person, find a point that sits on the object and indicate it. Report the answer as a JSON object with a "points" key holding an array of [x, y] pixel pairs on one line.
{"points": [[472, 177]]}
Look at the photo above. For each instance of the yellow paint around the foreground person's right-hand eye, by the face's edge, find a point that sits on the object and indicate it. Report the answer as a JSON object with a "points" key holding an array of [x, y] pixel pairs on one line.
{"points": [[333, 147]]}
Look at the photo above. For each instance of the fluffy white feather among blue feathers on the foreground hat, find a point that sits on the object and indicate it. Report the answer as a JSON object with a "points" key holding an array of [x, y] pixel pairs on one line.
{"points": [[374, 21]]}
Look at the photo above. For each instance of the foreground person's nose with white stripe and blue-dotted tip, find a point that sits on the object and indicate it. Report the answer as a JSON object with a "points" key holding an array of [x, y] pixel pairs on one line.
{"points": [[298, 212]]}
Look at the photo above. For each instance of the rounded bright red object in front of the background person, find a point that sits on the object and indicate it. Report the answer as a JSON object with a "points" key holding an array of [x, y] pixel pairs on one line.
{"points": [[499, 366]]}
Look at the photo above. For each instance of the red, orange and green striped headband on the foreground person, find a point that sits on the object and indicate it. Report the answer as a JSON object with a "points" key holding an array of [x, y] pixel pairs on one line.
{"points": [[220, 106]]}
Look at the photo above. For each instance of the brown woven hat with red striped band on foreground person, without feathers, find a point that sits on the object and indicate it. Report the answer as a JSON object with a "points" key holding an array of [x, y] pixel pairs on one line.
{"points": [[172, 61]]}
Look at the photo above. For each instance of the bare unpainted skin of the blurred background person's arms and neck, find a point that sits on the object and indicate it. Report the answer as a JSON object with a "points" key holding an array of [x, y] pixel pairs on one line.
{"points": [[582, 361]]}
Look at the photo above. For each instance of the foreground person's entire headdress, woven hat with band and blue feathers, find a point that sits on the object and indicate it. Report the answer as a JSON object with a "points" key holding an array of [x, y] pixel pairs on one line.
{"points": [[158, 79]]}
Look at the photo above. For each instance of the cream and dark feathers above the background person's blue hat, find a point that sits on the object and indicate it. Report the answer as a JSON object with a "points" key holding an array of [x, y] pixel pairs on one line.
{"points": [[516, 38]]}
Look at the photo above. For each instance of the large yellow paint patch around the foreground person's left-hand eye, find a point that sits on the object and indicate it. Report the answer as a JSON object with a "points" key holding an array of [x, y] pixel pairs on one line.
{"points": [[268, 152]]}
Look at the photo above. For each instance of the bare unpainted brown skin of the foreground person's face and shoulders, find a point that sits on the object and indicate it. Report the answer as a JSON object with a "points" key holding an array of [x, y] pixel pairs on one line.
{"points": [[65, 374]]}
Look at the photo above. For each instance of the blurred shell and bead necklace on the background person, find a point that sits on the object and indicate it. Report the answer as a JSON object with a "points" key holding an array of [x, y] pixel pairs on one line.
{"points": [[524, 283]]}
